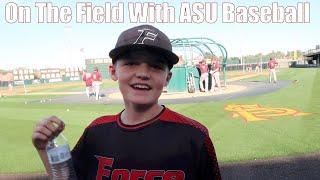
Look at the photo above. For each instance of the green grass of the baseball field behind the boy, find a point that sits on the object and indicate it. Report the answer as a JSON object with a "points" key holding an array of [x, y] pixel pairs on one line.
{"points": [[234, 139]]}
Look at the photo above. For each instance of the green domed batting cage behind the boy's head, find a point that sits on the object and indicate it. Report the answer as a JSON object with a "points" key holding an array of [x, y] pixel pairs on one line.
{"points": [[188, 50]]}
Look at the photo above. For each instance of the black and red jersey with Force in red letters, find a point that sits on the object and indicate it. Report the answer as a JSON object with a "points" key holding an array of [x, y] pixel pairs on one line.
{"points": [[169, 146]]}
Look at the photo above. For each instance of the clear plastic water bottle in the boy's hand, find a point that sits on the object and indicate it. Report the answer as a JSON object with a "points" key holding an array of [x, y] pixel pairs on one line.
{"points": [[60, 160]]}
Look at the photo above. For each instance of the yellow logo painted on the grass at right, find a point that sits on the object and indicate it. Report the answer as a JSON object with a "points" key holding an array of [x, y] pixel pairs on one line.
{"points": [[255, 112]]}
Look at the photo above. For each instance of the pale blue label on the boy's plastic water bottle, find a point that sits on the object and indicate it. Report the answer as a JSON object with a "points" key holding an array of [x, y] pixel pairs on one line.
{"points": [[59, 154]]}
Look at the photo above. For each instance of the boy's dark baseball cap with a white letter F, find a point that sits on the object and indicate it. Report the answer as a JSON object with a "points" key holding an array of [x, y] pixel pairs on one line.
{"points": [[144, 37]]}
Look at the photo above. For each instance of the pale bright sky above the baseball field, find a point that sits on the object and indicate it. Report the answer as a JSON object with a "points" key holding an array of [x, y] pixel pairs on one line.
{"points": [[66, 44]]}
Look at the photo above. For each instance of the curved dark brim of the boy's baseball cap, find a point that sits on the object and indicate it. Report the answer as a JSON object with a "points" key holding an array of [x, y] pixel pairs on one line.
{"points": [[170, 56]]}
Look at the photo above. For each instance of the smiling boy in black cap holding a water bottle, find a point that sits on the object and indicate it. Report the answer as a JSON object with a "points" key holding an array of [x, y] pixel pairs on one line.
{"points": [[146, 140]]}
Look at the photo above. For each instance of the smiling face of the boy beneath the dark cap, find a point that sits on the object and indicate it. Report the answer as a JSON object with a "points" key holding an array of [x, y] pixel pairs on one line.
{"points": [[141, 76]]}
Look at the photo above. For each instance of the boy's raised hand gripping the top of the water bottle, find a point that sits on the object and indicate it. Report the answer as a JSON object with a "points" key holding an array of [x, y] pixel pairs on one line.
{"points": [[45, 130]]}
